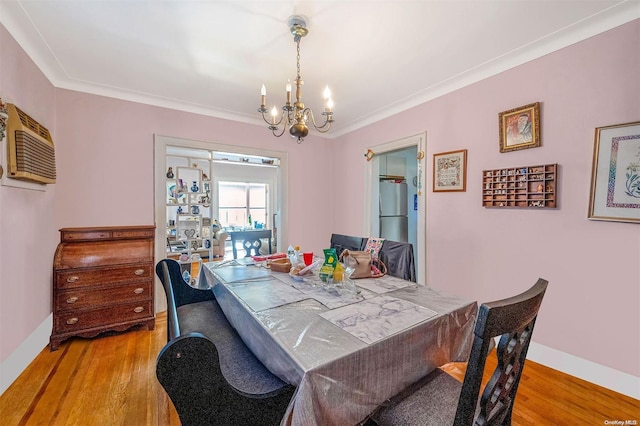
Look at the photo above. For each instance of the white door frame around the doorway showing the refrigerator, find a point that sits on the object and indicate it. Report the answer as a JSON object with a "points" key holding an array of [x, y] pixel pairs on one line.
{"points": [[372, 171]]}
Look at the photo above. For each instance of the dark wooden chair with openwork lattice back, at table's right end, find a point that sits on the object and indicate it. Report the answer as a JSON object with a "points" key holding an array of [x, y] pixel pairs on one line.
{"points": [[439, 399]]}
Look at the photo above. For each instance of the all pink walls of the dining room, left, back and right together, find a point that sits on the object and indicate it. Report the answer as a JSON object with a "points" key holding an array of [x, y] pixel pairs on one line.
{"points": [[104, 150]]}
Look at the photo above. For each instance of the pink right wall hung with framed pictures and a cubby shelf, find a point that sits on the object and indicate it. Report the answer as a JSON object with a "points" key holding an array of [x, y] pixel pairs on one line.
{"points": [[591, 307]]}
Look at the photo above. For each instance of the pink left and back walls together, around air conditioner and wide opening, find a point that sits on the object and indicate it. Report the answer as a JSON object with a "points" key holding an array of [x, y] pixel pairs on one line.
{"points": [[104, 158]]}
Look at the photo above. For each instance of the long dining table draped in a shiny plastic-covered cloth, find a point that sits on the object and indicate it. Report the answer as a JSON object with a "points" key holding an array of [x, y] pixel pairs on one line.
{"points": [[346, 348]]}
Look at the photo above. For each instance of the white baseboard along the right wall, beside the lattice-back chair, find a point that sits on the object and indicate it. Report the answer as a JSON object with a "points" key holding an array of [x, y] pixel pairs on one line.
{"points": [[601, 375]]}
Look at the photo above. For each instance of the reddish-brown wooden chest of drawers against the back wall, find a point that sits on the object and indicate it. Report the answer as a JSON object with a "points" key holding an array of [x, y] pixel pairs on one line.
{"points": [[102, 281]]}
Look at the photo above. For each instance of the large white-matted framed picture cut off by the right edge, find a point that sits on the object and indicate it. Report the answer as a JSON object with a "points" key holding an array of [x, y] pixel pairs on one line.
{"points": [[615, 174]]}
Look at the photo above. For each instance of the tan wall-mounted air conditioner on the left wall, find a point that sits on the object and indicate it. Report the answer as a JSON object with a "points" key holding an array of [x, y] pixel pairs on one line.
{"points": [[30, 152]]}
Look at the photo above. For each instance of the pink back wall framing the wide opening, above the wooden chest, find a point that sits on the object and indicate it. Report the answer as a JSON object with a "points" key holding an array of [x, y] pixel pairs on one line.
{"points": [[105, 162]]}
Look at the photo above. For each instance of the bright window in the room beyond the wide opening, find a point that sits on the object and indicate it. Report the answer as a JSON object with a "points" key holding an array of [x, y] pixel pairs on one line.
{"points": [[238, 200]]}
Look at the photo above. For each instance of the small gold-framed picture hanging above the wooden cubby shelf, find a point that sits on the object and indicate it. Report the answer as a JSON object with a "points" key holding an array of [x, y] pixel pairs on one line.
{"points": [[520, 128]]}
